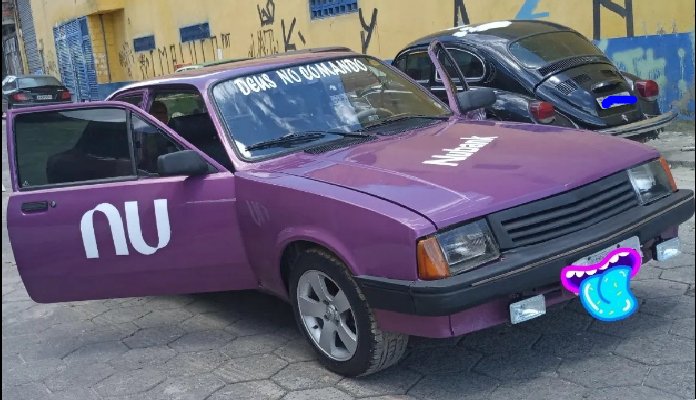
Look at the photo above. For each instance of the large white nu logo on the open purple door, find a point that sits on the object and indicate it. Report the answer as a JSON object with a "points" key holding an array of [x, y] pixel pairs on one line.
{"points": [[135, 234]]}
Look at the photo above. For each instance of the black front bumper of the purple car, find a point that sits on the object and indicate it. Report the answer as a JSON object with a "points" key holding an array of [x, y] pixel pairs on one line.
{"points": [[525, 269]]}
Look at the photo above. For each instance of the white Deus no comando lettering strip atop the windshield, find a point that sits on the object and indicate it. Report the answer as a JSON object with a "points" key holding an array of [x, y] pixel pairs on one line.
{"points": [[305, 73]]}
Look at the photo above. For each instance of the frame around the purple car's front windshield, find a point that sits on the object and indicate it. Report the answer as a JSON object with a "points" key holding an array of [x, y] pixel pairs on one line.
{"points": [[229, 137]]}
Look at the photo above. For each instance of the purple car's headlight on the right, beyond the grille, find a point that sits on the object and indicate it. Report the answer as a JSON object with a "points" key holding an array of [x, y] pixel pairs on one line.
{"points": [[652, 180]]}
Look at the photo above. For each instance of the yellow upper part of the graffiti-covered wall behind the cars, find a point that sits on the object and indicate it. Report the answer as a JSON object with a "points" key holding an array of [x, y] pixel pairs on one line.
{"points": [[238, 31]]}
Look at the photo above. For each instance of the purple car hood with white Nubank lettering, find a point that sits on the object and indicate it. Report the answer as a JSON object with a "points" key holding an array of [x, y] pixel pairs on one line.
{"points": [[515, 164]]}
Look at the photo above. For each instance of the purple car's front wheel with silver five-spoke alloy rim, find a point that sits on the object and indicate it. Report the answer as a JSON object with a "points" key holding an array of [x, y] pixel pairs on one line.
{"points": [[375, 350]]}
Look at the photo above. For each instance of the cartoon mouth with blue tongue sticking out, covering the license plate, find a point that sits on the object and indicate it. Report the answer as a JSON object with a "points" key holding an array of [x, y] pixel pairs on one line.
{"points": [[604, 288]]}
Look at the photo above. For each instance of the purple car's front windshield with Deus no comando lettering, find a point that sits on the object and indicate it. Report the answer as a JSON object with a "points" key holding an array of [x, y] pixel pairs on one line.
{"points": [[346, 95]]}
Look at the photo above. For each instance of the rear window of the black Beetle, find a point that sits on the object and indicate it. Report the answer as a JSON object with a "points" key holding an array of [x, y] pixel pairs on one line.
{"points": [[539, 50]]}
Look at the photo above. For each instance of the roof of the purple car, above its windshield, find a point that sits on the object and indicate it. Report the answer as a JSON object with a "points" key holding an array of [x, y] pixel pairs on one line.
{"points": [[201, 77]]}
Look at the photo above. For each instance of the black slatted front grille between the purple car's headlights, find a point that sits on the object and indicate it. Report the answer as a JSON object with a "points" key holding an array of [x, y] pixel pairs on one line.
{"points": [[563, 214]]}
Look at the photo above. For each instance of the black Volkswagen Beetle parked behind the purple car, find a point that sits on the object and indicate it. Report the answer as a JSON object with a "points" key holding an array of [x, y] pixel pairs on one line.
{"points": [[543, 73]]}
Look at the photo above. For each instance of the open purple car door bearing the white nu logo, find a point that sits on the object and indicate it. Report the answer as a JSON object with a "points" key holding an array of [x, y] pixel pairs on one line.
{"points": [[97, 214]]}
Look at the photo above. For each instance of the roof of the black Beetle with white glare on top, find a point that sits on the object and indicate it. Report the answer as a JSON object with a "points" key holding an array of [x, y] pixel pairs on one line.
{"points": [[507, 31]]}
